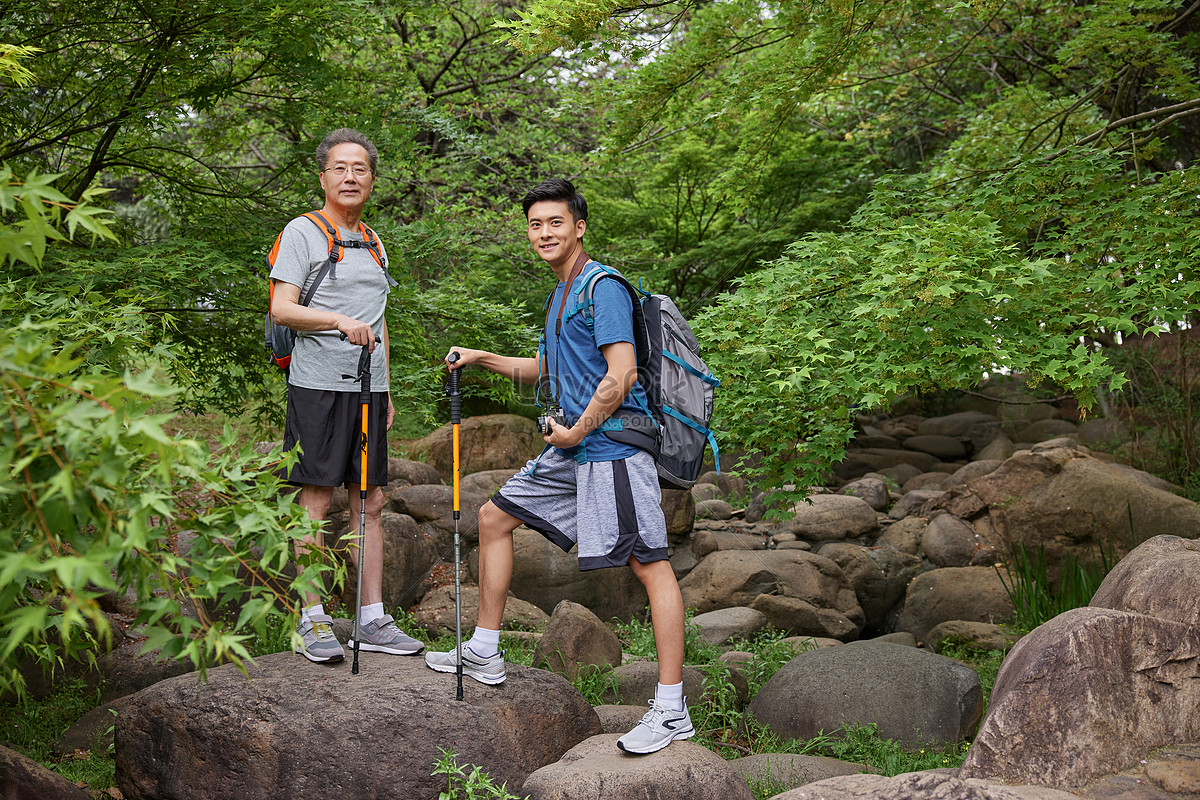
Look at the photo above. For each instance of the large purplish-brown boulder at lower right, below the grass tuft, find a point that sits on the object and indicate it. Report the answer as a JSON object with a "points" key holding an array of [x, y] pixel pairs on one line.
{"points": [[1089, 694]]}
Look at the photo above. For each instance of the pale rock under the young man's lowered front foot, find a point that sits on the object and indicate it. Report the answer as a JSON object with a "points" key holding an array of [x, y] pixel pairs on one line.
{"points": [[597, 771]]}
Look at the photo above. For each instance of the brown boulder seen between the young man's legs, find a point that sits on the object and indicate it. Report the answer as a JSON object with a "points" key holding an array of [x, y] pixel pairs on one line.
{"points": [[545, 576]]}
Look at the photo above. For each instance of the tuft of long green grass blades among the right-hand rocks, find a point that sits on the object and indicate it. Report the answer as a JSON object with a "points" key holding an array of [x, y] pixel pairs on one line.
{"points": [[1037, 597]]}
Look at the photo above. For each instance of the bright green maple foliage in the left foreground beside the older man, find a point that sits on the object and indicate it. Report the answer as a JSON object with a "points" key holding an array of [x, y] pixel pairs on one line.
{"points": [[97, 498]]}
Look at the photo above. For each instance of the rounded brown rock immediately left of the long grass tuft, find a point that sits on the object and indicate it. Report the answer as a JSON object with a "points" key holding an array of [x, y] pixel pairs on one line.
{"points": [[968, 593]]}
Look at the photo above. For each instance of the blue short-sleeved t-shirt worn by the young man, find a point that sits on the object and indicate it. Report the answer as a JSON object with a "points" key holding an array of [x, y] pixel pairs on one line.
{"points": [[577, 365]]}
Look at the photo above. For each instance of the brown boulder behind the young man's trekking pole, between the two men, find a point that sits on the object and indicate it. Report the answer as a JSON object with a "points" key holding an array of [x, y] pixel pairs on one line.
{"points": [[488, 442]]}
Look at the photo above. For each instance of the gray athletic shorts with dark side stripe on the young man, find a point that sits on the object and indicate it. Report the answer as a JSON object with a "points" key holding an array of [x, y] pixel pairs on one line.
{"points": [[611, 509]]}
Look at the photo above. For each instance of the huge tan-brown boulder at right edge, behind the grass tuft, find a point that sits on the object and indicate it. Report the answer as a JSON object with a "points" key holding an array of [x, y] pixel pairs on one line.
{"points": [[1059, 498]]}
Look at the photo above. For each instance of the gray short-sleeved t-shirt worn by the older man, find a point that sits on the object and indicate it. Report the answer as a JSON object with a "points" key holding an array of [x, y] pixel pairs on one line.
{"points": [[356, 287]]}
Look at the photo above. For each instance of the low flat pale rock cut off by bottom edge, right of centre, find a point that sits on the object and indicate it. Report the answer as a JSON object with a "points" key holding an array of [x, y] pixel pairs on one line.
{"points": [[920, 786]]}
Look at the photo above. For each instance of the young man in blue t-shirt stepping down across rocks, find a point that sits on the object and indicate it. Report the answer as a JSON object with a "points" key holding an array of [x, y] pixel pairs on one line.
{"points": [[586, 490]]}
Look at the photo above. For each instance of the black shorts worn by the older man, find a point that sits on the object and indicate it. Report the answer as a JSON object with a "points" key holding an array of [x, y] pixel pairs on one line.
{"points": [[328, 426]]}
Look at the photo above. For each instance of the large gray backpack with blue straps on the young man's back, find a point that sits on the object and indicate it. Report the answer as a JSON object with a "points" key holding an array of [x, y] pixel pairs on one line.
{"points": [[679, 387]]}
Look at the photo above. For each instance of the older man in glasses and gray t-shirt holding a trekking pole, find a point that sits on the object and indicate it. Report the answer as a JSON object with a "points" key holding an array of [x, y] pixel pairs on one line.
{"points": [[325, 411]]}
